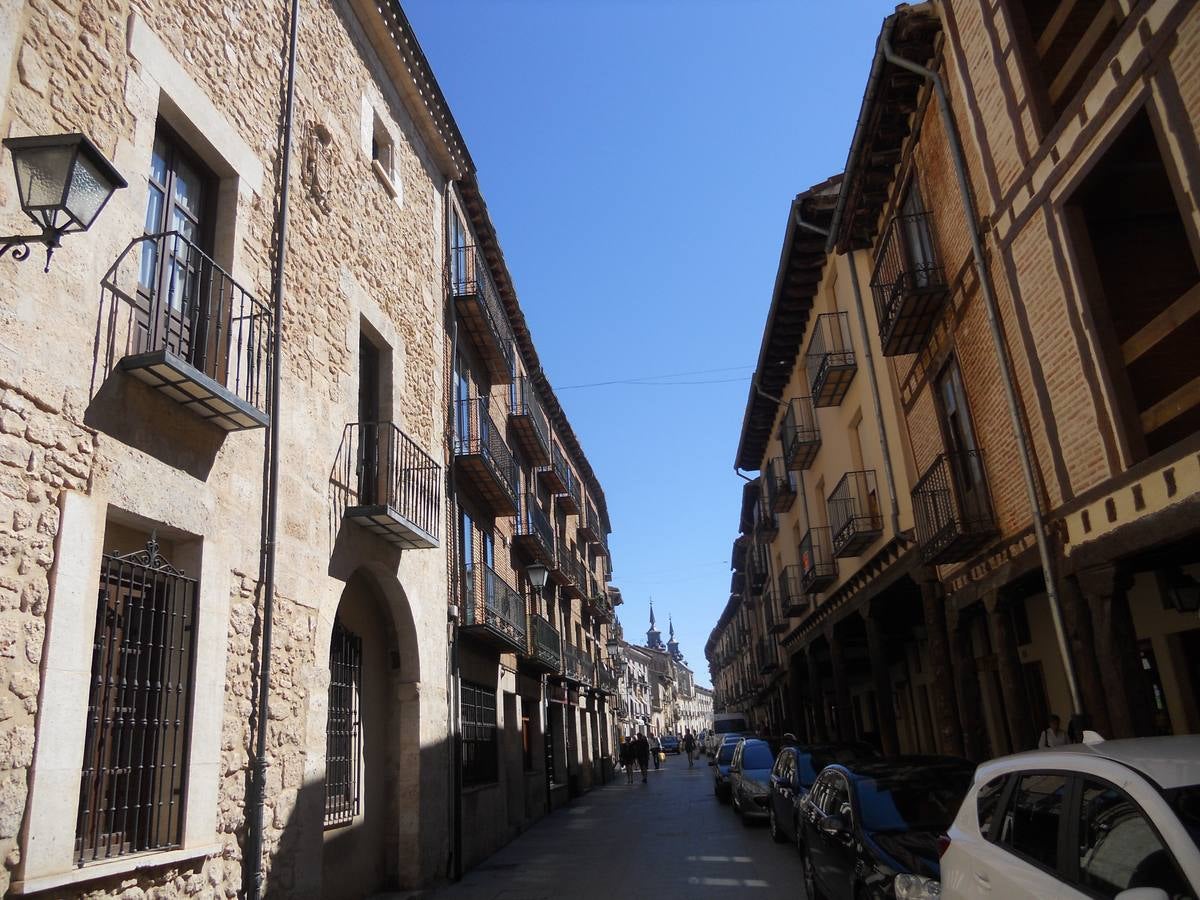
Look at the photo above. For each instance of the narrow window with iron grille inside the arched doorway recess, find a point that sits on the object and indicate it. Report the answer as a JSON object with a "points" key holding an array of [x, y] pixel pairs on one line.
{"points": [[344, 731]]}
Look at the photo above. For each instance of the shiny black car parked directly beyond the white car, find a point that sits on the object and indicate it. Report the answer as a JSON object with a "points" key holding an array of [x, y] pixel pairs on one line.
{"points": [[868, 824]]}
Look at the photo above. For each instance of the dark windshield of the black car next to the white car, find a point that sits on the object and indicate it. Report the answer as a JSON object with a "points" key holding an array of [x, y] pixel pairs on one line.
{"points": [[926, 805]]}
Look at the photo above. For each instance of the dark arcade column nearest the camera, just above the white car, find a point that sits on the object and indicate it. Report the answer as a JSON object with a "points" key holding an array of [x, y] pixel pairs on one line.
{"points": [[1131, 709]]}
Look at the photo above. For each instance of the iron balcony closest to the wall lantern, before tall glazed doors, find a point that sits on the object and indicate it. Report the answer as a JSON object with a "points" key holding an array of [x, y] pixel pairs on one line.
{"points": [[194, 333]]}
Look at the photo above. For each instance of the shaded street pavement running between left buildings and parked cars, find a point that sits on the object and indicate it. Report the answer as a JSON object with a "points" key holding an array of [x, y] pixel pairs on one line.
{"points": [[665, 839]]}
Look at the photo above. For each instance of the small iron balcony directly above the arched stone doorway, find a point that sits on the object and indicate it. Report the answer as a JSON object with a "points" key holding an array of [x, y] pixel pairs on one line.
{"points": [[387, 484]]}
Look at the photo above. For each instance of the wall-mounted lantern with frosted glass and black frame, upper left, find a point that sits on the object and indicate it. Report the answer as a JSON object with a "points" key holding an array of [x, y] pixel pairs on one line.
{"points": [[64, 183]]}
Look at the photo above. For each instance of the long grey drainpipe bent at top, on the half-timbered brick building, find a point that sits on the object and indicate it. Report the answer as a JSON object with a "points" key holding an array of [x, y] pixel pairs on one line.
{"points": [[1015, 412]]}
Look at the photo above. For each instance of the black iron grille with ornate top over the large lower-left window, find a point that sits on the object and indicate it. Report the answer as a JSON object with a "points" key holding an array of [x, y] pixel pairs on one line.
{"points": [[135, 765]]}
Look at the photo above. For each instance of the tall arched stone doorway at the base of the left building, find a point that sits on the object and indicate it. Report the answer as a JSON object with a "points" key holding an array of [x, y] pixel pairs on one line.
{"points": [[363, 757]]}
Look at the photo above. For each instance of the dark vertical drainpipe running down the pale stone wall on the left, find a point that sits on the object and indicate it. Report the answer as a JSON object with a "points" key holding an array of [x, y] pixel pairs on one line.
{"points": [[256, 812]]}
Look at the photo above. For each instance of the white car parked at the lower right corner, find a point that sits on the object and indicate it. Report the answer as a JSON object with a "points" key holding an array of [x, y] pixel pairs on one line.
{"points": [[1114, 819]]}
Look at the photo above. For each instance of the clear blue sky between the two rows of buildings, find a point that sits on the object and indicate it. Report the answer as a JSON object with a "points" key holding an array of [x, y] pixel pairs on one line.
{"points": [[639, 159]]}
